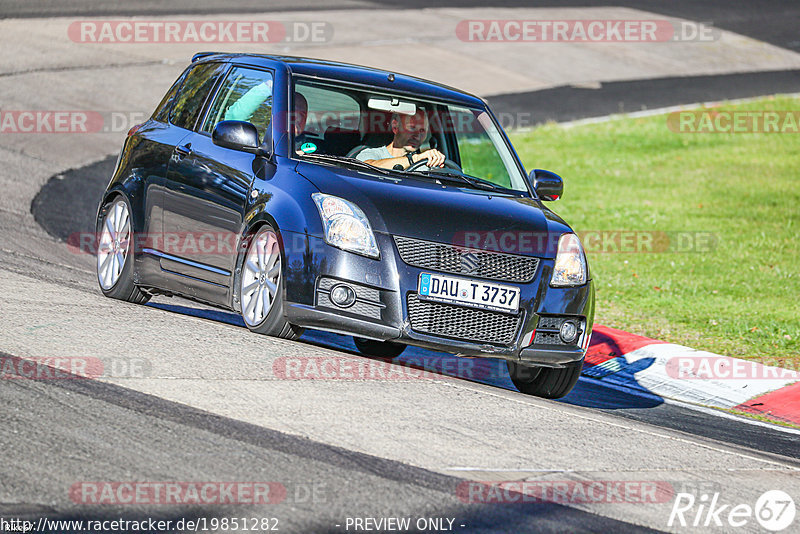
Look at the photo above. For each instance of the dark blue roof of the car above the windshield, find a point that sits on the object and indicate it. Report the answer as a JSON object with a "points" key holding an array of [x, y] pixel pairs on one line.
{"points": [[334, 70]]}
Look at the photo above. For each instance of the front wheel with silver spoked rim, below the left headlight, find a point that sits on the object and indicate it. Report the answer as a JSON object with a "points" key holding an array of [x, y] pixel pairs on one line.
{"points": [[261, 287]]}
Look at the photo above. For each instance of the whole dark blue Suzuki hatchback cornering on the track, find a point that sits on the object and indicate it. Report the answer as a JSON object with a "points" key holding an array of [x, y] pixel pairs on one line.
{"points": [[307, 193]]}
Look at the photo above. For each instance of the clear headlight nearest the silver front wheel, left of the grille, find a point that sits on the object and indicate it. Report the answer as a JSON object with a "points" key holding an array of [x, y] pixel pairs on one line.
{"points": [[345, 225]]}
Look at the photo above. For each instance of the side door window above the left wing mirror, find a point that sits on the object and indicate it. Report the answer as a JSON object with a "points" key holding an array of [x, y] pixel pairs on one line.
{"points": [[245, 95]]}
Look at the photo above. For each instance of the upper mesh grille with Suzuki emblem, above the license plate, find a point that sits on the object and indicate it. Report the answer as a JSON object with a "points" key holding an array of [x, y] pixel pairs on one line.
{"points": [[465, 261]]}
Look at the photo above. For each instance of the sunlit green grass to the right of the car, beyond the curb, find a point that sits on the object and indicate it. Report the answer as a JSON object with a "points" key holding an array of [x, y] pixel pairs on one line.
{"points": [[742, 297]]}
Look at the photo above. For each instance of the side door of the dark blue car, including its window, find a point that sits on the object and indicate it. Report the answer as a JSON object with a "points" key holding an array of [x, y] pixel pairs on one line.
{"points": [[209, 185]]}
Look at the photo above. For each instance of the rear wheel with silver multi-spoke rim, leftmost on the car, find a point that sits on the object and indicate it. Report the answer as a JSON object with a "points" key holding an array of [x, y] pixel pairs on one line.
{"points": [[115, 252]]}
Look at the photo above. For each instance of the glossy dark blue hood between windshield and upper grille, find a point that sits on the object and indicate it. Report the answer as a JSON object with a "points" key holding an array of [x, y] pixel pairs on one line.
{"points": [[446, 213]]}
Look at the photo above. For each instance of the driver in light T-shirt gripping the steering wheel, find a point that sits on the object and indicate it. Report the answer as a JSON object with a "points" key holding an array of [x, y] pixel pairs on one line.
{"points": [[409, 133]]}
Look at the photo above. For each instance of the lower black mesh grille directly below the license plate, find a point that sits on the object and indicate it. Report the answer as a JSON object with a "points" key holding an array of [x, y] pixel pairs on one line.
{"points": [[468, 324]]}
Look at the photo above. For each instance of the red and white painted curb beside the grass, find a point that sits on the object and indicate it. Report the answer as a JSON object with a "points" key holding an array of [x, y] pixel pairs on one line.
{"points": [[681, 373]]}
